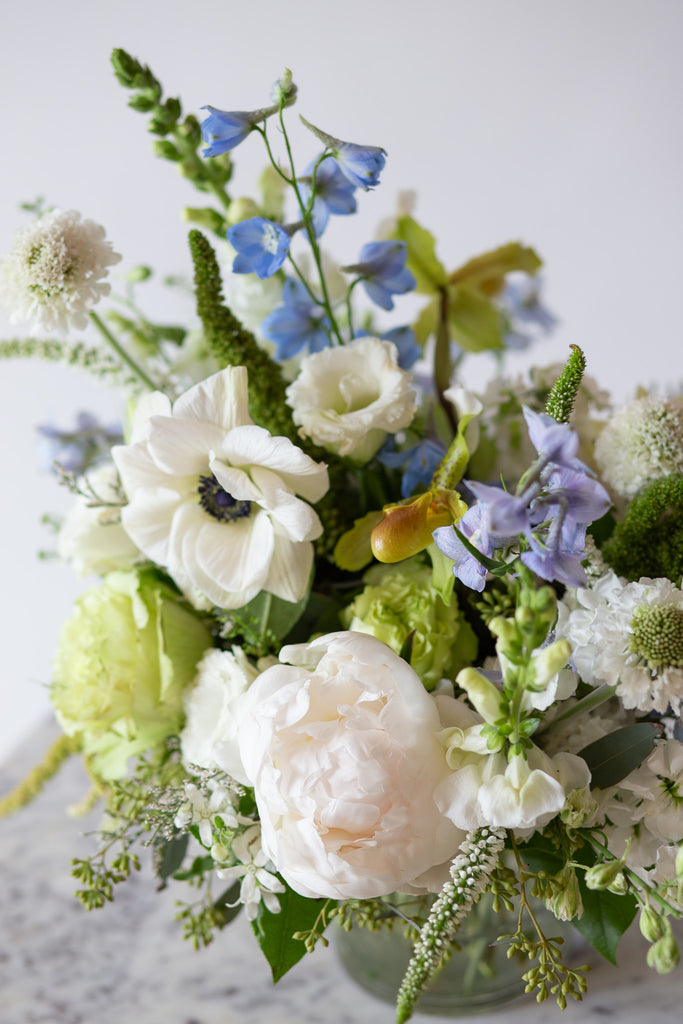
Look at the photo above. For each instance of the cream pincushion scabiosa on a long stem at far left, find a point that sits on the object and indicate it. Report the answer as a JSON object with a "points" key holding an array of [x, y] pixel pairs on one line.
{"points": [[56, 273]]}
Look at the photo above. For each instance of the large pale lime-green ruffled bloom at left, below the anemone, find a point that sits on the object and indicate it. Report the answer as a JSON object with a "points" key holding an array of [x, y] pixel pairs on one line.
{"points": [[122, 664]]}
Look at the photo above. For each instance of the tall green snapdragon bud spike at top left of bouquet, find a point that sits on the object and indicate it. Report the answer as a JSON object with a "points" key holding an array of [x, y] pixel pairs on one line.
{"points": [[180, 139]]}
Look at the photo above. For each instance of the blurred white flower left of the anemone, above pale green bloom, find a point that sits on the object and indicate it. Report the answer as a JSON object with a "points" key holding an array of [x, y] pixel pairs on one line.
{"points": [[92, 537]]}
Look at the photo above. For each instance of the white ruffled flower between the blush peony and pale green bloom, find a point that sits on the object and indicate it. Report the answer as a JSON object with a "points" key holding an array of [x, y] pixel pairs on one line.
{"points": [[209, 739]]}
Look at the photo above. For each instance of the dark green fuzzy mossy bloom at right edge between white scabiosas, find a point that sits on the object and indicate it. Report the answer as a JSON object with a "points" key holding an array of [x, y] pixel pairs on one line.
{"points": [[649, 542]]}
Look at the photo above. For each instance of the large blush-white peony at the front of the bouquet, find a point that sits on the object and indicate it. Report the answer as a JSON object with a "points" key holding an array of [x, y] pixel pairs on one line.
{"points": [[341, 748]]}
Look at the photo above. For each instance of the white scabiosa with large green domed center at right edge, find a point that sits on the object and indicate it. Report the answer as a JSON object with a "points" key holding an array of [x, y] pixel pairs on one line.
{"points": [[631, 636]]}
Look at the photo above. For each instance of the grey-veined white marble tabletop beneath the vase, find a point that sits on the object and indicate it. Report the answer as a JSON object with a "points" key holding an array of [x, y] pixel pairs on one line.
{"points": [[127, 964]]}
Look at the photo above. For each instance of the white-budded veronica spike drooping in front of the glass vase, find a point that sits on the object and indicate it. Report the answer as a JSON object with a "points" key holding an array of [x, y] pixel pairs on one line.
{"points": [[471, 873]]}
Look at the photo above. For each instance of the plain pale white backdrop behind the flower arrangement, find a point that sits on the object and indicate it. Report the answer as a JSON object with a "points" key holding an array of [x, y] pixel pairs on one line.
{"points": [[558, 123]]}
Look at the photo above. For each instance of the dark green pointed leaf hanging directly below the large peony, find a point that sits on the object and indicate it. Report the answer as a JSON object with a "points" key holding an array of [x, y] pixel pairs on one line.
{"points": [[274, 931]]}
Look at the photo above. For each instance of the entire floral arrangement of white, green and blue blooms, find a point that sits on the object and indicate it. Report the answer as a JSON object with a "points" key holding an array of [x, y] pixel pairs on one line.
{"points": [[360, 632]]}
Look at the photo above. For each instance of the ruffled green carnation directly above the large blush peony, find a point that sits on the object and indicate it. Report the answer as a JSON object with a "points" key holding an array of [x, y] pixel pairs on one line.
{"points": [[398, 603]]}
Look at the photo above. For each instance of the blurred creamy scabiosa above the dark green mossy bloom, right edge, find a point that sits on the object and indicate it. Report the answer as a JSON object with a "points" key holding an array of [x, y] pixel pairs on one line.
{"points": [[643, 443]]}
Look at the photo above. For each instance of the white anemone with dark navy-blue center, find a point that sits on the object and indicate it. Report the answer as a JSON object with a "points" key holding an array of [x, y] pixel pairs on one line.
{"points": [[212, 497]]}
